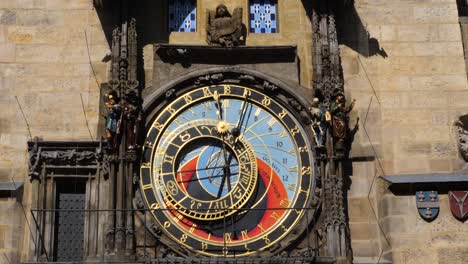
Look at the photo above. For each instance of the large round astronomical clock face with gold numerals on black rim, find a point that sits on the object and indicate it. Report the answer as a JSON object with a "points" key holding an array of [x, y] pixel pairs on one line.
{"points": [[227, 170]]}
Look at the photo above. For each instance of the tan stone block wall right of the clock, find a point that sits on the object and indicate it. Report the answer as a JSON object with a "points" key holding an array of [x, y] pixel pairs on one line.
{"points": [[404, 62]]}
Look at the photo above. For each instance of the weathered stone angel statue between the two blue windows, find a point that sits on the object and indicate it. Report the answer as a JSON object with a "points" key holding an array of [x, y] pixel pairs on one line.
{"points": [[224, 29]]}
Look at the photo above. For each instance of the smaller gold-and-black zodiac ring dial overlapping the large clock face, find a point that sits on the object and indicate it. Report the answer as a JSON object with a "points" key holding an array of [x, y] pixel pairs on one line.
{"points": [[204, 174]]}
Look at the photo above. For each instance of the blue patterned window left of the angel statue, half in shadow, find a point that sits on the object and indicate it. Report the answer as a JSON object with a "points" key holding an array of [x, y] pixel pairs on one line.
{"points": [[182, 15]]}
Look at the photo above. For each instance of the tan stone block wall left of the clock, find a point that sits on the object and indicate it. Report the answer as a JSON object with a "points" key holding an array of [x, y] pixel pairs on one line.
{"points": [[46, 52]]}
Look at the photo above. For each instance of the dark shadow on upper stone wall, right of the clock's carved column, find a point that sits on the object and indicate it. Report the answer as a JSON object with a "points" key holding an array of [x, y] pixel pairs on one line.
{"points": [[353, 33]]}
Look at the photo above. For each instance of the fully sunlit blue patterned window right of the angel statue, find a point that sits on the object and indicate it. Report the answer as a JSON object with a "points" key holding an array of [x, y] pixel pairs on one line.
{"points": [[263, 16]]}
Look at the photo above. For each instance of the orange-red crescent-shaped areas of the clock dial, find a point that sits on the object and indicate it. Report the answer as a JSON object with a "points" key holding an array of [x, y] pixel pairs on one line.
{"points": [[276, 197]]}
